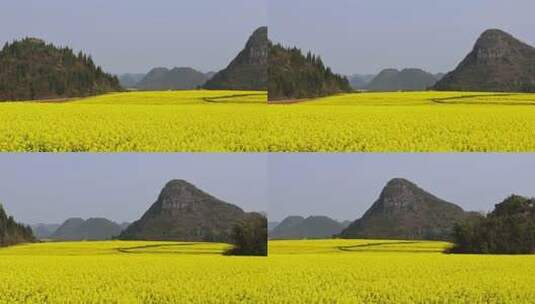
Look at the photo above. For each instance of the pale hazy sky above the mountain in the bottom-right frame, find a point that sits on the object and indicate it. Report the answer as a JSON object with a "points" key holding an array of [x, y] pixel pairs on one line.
{"points": [[343, 186]]}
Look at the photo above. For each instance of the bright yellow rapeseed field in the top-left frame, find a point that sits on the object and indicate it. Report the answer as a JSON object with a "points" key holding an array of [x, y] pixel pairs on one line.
{"points": [[137, 121]]}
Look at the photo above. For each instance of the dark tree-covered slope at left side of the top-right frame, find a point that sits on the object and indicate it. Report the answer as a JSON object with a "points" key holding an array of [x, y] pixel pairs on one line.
{"points": [[293, 75]]}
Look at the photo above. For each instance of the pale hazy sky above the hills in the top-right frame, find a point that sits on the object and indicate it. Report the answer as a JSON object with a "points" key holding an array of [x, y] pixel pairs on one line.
{"points": [[364, 37]]}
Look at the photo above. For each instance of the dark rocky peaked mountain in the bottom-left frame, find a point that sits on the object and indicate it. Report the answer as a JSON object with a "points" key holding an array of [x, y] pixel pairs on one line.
{"points": [[183, 212]]}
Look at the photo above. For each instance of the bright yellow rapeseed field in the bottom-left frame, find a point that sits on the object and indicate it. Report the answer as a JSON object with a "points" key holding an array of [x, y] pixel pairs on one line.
{"points": [[128, 272]]}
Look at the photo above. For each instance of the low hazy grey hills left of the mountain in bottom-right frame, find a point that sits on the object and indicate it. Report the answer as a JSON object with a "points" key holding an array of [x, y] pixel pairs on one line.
{"points": [[312, 227]]}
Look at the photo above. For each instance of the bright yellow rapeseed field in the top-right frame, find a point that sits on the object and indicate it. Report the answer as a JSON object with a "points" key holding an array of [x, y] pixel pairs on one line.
{"points": [[406, 122]]}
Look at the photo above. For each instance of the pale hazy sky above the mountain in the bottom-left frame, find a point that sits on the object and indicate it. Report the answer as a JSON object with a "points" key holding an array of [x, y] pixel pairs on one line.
{"points": [[49, 188]]}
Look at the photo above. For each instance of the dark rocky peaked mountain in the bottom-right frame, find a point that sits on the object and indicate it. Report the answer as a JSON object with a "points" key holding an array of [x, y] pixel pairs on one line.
{"points": [[405, 211]]}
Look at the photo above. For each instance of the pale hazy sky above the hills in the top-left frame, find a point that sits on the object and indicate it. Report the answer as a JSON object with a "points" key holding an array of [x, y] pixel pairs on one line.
{"points": [[136, 36]]}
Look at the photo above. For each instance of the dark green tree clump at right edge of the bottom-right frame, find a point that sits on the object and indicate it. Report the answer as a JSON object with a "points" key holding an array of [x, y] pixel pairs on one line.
{"points": [[509, 229]]}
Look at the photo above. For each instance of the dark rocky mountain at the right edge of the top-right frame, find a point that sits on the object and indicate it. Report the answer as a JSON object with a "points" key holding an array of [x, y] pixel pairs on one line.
{"points": [[498, 62]]}
